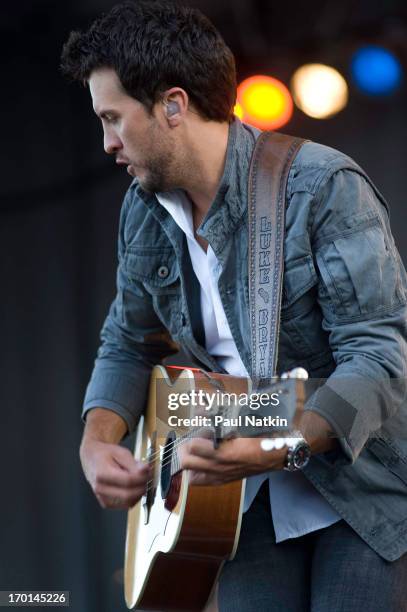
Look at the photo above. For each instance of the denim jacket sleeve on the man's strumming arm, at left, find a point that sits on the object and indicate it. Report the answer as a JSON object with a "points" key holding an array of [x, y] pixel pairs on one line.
{"points": [[133, 341]]}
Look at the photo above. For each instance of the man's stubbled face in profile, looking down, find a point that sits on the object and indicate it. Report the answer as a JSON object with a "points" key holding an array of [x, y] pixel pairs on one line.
{"points": [[139, 141]]}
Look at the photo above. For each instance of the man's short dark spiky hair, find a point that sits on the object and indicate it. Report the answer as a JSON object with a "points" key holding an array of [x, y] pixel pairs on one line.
{"points": [[153, 46]]}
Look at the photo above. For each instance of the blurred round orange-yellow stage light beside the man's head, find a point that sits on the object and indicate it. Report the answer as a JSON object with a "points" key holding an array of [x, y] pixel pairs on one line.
{"points": [[265, 101]]}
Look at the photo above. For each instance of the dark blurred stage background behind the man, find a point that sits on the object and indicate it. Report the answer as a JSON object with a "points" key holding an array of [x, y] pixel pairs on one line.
{"points": [[60, 201]]}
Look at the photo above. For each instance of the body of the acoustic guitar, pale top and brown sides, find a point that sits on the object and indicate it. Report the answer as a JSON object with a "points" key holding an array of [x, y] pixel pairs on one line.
{"points": [[178, 534]]}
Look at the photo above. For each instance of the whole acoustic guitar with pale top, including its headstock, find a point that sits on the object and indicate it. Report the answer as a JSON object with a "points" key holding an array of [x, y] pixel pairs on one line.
{"points": [[179, 535]]}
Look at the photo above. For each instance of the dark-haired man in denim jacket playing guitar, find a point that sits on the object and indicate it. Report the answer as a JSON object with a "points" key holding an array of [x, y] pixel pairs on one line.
{"points": [[163, 84]]}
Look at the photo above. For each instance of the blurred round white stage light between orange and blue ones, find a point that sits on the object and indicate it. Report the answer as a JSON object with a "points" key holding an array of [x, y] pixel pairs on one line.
{"points": [[319, 90]]}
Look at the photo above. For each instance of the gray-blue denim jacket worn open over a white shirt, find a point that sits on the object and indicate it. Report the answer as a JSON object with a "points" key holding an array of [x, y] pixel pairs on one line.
{"points": [[343, 319]]}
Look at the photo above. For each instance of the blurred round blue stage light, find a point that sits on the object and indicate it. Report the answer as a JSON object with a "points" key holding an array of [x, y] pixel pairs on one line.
{"points": [[376, 70]]}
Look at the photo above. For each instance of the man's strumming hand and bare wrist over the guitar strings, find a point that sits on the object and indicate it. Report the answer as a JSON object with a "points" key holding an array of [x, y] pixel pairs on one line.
{"points": [[116, 478]]}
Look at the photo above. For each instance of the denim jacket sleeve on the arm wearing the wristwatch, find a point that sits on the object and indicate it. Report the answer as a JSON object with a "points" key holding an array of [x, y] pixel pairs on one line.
{"points": [[362, 295]]}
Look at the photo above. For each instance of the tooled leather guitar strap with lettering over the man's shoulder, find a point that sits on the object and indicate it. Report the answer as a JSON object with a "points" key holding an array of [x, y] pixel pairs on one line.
{"points": [[270, 166]]}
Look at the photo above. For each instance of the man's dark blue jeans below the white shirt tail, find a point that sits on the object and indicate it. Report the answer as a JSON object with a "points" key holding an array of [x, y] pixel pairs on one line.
{"points": [[329, 570]]}
